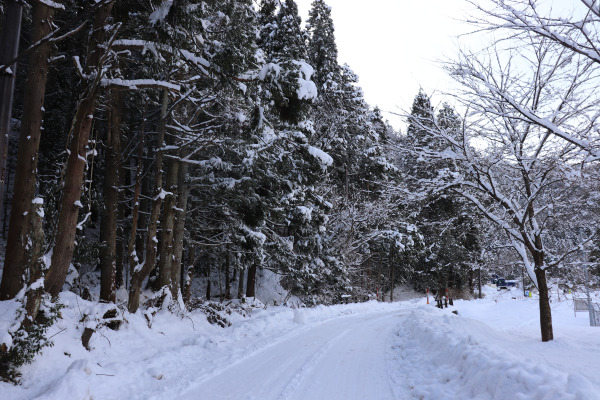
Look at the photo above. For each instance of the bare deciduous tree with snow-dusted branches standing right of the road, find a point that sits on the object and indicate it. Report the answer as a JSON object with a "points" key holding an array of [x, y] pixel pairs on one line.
{"points": [[519, 175]]}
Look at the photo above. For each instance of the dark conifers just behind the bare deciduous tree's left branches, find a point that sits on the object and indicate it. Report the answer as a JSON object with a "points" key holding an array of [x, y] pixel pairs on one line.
{"points": [[448, 222]]}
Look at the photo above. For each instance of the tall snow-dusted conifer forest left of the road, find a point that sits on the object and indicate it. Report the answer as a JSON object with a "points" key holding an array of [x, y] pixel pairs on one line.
{"points": [[192, 145]]}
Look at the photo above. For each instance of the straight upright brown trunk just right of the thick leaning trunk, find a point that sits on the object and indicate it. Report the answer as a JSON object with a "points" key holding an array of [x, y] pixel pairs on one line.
{"points": [[108, 227]]}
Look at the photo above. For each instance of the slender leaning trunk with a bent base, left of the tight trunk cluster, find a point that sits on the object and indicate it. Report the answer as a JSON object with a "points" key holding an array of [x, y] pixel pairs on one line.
{"points": [[142, 271]]}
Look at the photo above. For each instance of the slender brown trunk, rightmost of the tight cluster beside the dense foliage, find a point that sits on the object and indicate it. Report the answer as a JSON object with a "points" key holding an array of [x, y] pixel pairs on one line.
{"points": [[179, 228]]}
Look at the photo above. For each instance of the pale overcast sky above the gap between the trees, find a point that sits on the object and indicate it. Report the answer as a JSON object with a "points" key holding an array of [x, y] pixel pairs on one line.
{"points": [[393, 46]]}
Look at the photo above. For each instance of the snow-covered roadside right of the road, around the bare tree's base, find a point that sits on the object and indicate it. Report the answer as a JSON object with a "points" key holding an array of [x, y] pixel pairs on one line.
{"points": [[492, 350]]}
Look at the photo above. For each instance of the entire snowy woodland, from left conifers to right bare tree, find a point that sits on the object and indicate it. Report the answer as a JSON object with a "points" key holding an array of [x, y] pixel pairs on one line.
{"points": [[181, 147]]}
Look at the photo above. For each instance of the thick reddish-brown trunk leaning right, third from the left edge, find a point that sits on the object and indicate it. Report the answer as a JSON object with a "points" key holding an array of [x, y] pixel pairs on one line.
{"points": [[76, 163]]}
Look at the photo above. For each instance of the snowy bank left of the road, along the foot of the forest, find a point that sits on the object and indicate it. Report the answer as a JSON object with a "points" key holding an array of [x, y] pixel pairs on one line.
{"points": [[138, 362]]}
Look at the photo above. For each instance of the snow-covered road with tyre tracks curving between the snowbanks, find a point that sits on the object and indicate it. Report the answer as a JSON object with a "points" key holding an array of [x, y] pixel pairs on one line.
{"points": [[344, 358]]}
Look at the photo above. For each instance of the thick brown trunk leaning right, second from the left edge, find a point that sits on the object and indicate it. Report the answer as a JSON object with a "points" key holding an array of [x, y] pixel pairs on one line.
{"points": [[29, 142]]}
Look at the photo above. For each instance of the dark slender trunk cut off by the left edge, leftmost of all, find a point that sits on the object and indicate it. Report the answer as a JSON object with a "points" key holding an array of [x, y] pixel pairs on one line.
{"points": [[9, 47]]}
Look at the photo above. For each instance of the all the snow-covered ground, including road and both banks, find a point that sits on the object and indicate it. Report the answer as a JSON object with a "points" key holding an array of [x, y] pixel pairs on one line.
{"points": [[403, 350]]}
